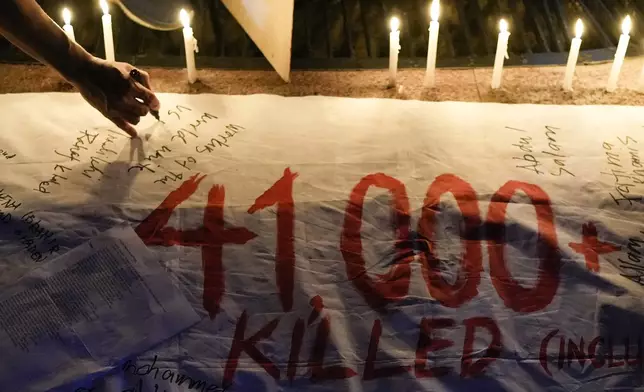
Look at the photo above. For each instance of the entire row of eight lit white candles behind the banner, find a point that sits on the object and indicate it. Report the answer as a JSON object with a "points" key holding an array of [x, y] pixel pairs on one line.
{"points": [[190, 44]]}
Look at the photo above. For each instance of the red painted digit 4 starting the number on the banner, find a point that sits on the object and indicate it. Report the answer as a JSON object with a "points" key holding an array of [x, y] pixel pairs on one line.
{"points": [[210, 237]]}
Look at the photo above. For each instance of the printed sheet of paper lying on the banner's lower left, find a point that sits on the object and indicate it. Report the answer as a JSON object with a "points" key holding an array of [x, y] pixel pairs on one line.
{"points": [[86, 311]]}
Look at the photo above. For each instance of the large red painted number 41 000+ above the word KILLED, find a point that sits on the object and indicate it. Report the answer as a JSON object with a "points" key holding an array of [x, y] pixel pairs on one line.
{"points": [[378, 290]]}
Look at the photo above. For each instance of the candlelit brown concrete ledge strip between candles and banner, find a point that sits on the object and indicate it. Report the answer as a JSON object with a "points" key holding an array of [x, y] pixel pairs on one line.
{"points": [[540, 85]]}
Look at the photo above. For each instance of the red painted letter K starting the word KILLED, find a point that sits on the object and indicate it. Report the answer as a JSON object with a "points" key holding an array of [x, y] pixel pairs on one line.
{"points": [[248, 345]]}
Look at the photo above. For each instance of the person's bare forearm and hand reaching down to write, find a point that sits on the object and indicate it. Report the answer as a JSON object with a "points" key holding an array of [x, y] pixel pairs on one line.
{"points": [[106, 86]]}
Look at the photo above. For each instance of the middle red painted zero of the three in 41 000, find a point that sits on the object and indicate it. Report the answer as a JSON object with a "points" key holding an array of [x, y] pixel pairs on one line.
{"points": [[465, 287]]}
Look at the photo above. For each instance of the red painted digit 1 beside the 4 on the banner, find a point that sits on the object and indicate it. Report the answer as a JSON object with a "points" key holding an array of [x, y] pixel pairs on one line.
{"points": [[281, 193]]}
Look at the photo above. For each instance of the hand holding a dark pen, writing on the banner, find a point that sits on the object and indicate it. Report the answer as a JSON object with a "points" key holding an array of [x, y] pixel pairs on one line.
{"points": [[109, 88]]}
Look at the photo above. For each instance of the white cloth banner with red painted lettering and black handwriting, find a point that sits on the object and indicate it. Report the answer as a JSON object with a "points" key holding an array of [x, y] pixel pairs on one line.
{"points": [[372, 245]]}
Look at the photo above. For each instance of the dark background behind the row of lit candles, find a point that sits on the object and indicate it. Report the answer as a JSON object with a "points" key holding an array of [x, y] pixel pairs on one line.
{"points": [[354, 33]]}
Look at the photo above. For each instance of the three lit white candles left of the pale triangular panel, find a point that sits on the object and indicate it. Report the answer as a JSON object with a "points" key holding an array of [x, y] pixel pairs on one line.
{"points": [[189, 40]]}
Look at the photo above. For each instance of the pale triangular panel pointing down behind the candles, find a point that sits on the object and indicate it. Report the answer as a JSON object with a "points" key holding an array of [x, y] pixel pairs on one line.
{"points": [[269, 23]]}
